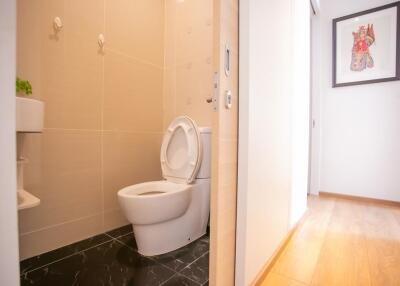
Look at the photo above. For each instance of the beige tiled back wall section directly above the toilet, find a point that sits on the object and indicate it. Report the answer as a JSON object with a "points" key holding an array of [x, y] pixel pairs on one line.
{"points": [[188, 76]]}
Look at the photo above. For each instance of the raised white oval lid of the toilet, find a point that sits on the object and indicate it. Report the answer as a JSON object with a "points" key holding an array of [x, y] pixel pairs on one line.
{"points": [[181, 151]]}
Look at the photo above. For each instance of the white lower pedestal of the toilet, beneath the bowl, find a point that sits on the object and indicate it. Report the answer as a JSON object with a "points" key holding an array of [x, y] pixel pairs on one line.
{"points": [[156, 239]]}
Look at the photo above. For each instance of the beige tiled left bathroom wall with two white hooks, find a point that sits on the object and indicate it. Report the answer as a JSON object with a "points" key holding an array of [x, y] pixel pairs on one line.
{"points": [[103, 113]]}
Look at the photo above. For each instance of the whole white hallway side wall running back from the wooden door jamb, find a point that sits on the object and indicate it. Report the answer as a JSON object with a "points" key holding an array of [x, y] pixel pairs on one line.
{"points": [[266, 204]]}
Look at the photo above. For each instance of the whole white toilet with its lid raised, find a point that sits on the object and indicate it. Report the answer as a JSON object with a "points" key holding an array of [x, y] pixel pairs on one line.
{"points": [[169, 214]]}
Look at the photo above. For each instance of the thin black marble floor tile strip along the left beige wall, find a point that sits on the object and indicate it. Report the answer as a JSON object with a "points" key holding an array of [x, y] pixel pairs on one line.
{"points": [[51, 256]]}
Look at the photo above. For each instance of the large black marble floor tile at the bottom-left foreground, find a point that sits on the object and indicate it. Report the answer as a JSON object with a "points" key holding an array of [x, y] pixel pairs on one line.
{"points": [[111, 263]]}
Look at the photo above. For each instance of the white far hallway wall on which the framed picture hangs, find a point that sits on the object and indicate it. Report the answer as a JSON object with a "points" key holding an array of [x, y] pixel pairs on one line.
{"points": [[360, 125]]}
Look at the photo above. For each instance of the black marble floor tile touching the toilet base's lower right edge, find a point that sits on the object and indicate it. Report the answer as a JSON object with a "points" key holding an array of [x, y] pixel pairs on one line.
{"points": [[180, 258]]}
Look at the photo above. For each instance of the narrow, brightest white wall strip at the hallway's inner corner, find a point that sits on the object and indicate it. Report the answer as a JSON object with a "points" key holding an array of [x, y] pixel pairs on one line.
{"points": [[300, 107]]}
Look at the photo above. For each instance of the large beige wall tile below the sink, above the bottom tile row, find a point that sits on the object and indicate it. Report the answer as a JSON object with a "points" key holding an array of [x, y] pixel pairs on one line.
{"points": [[68, 183]]}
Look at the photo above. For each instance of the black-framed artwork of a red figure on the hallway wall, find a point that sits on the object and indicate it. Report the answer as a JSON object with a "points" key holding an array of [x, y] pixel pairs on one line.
{"points": [[366, 46]]}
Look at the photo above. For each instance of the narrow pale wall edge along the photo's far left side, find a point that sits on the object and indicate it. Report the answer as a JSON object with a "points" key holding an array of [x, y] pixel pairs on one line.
{"points": [[9, 262]]}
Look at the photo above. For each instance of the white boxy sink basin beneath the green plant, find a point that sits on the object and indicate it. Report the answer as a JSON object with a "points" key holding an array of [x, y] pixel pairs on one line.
{"points": [[30, 115]]}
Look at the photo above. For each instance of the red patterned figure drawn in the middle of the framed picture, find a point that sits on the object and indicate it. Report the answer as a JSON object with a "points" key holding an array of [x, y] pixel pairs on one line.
{"points": [[361, 57]]}
